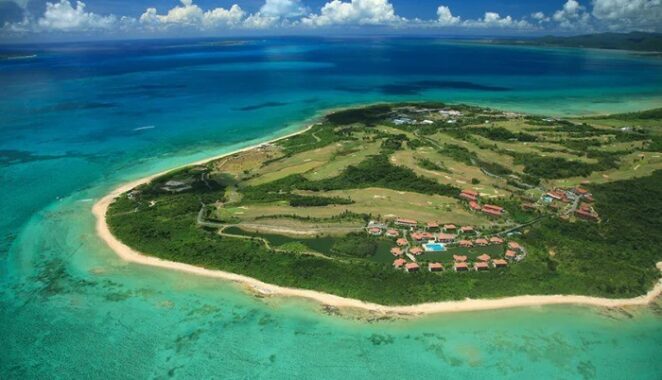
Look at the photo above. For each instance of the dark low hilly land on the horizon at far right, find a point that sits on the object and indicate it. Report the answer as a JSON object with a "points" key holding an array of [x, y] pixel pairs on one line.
{"points": [[635, 41]]}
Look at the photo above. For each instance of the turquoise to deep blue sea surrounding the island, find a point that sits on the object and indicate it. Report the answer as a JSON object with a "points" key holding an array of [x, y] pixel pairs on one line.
{"points": [[77, 120]]}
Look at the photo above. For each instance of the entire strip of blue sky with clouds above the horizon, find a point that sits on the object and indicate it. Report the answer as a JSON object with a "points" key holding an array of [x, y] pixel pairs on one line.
{"points": [[92, 19]]}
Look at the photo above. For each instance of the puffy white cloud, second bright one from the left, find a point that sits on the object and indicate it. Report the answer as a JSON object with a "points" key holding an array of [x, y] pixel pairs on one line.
{"points": [[191, 15]]}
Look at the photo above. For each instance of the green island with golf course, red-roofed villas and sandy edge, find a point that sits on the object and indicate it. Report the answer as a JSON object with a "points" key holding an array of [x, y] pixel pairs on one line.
{"points": [[393, 205]]}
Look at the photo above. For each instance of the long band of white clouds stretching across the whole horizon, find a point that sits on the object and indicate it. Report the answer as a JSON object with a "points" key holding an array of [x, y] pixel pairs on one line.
{"points": [[72, 16]]}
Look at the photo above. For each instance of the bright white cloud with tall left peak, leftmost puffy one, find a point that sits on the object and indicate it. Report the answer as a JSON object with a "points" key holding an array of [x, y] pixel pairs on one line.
{"points": [[63, 16]]}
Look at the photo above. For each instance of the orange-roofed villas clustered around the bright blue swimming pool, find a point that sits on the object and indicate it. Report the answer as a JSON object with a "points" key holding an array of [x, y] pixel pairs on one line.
{"points": [[413, 242]]}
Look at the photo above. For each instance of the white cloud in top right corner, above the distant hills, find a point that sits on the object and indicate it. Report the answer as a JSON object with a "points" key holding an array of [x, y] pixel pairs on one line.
{"points": [[631, 14]]}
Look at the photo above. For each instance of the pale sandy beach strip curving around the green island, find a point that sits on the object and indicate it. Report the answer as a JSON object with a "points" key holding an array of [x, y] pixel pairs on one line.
{"points": [[128, 254]]}
